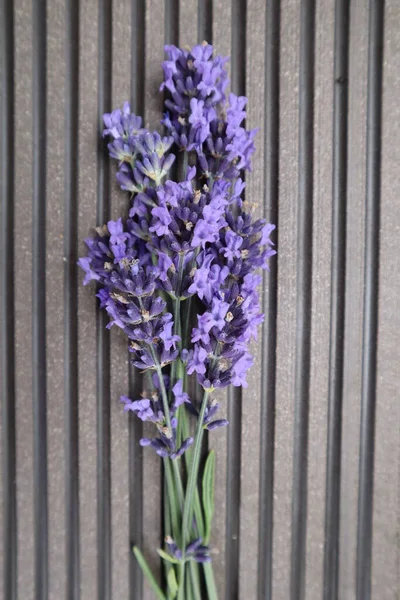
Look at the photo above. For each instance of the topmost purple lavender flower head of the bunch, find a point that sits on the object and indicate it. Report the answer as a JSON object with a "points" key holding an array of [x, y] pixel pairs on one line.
{"points": [[198, 117]]}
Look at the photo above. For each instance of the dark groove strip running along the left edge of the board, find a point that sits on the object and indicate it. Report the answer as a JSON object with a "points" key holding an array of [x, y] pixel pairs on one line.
{"points": [[8, 526]]}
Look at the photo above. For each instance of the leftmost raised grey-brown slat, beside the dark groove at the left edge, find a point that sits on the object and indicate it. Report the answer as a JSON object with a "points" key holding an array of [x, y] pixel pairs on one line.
{"points": [[23, 294]]}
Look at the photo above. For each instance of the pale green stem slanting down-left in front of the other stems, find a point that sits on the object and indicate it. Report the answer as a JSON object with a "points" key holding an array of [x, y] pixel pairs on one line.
{"points": [[193, 473]]}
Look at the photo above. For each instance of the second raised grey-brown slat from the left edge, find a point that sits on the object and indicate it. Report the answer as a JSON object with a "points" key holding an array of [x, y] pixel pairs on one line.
{"points": [[57, 162]]}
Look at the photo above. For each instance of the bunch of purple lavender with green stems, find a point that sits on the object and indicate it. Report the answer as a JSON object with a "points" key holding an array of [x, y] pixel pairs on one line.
{"points": [[179, 277]]}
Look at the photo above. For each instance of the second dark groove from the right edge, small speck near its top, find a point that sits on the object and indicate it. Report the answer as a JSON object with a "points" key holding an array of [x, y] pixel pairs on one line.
{"points": [[337, 301]]}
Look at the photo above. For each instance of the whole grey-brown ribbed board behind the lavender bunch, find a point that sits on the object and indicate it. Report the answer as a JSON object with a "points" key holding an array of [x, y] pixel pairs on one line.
{"points": [[94, 490]]}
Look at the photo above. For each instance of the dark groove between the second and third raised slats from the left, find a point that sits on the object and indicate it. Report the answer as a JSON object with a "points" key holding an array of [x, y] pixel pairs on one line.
{"points": [[71, 398]]}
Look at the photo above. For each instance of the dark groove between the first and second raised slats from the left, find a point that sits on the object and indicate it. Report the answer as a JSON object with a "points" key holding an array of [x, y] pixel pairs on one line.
{"points": [[39, 391]]}
